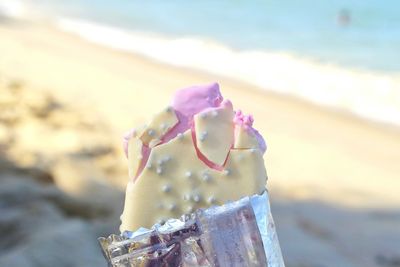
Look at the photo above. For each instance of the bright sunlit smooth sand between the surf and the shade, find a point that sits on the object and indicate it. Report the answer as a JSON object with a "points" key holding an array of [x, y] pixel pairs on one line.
{"points": [[313, 152]]}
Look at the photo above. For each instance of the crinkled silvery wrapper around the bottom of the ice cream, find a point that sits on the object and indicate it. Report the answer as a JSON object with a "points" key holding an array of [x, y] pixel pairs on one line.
{"points": [[239, 233]]}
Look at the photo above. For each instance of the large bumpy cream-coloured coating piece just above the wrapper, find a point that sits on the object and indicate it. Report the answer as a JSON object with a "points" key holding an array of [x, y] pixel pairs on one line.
{"points": [[175, 181]]}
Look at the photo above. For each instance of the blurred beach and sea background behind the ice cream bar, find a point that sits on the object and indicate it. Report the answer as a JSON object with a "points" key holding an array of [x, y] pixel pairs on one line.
{"points": [[322, 79]]}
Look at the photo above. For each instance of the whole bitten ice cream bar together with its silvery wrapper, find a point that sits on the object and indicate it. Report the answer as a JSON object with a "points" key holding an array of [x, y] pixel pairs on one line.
{"points": [[202, 162]]}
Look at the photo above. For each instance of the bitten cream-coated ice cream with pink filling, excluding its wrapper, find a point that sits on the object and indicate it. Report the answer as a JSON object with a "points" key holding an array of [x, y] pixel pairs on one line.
{"points": [[194, 154]]}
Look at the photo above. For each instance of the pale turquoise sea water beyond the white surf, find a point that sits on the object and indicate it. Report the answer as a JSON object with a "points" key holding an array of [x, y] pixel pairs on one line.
{"points": [[371, 38]]}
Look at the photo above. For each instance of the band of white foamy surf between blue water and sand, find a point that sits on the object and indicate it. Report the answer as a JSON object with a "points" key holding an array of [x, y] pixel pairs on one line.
{"points": [[335, 86]]}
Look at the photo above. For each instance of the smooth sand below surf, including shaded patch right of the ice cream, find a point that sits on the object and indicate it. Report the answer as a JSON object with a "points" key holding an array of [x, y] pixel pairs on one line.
{"points": [[333, 177]]}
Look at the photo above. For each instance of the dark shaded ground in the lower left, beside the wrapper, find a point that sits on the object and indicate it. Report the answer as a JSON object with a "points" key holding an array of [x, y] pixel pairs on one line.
{"points": [[42, 226]]}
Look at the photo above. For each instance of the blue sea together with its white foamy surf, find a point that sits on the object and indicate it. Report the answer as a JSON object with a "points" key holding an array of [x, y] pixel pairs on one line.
{"points": [[344, 54]]}
